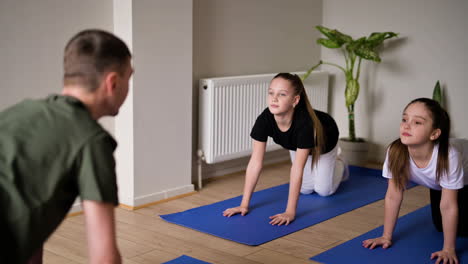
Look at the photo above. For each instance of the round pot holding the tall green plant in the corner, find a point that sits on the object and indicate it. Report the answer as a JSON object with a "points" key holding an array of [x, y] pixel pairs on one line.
{"points": [[355, 153]]}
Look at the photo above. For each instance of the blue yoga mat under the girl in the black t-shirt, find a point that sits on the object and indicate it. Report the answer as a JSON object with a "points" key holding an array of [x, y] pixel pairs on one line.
{"points": [[363, 187]]}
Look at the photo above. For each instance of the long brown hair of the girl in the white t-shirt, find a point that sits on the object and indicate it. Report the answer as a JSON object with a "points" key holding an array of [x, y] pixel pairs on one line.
{"points": [[398, 160]]}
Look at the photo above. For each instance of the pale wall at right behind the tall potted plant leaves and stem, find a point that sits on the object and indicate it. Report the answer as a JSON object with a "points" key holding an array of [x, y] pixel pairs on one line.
{"points": [[432, 46]]}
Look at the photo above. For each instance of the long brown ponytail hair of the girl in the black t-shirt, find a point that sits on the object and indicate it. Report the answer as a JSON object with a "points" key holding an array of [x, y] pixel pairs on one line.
{"points": [[319, 135]]}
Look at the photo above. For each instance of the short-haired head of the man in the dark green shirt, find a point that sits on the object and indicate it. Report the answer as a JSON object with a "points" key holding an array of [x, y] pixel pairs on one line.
{"points": [[99, 63]]}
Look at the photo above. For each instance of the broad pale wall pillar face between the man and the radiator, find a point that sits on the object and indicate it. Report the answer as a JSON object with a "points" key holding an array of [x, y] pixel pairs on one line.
{"points": [[162, 35]]}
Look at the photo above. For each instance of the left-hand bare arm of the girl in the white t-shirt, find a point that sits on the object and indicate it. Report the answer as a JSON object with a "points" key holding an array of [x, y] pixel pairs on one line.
{"points": [[393, 200]]}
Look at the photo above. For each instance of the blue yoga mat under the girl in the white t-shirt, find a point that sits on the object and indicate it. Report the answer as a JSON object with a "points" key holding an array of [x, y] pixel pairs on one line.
{"points": [[414, 239]]}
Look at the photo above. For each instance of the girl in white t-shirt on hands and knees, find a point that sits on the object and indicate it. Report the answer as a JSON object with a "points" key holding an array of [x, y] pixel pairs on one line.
{"points": [[423, 154]]}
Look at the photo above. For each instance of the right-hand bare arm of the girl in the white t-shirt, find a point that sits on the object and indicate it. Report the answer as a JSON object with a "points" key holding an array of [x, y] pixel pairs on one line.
{"points": [[449, 212]]}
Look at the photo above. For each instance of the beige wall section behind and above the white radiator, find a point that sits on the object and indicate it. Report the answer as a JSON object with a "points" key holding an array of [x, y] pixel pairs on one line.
{"points": [[251, 37]]}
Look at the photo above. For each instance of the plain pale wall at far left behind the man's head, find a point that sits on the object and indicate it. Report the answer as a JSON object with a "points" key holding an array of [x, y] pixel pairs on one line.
{"points": [[33, 36]]}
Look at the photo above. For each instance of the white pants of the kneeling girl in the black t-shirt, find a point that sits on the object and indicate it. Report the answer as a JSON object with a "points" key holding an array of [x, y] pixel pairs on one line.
{"points": [[326, 175]]}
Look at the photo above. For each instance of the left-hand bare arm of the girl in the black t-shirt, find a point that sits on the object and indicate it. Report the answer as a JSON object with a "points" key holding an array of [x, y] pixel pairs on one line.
{"points": [[251, 177]]}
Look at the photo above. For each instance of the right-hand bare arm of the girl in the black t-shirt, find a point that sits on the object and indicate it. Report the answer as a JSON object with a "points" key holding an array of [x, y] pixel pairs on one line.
{"points": [[297, 170]]}
